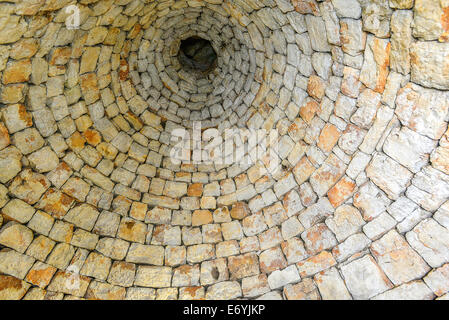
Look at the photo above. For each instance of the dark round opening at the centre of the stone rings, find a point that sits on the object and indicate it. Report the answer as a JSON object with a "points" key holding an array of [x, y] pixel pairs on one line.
{"points": [[197, 54]]}
